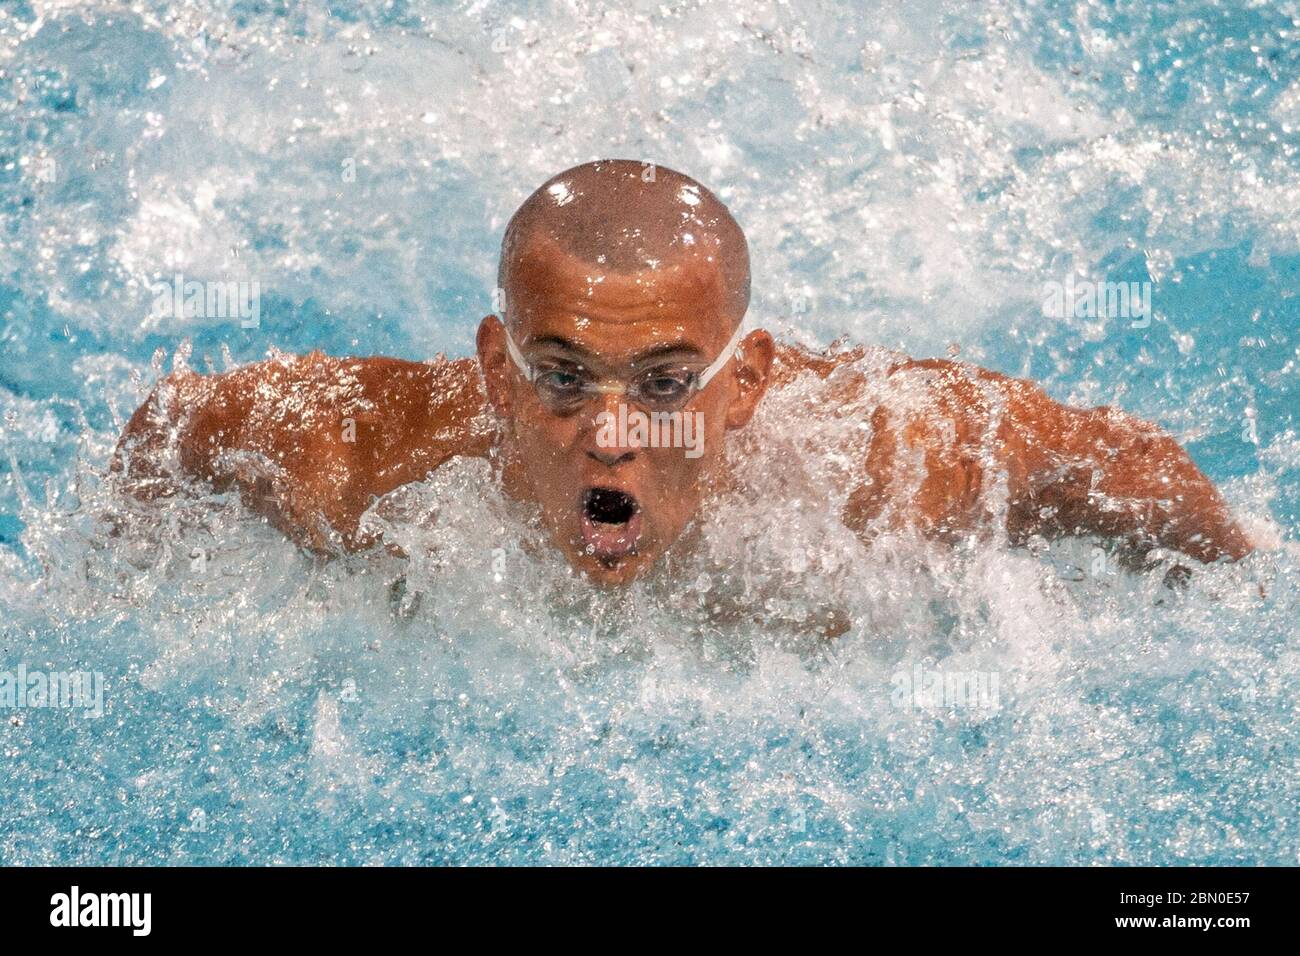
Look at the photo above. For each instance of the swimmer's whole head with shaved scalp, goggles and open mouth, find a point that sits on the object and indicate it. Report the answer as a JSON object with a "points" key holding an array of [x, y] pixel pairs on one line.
{"points": [[616, 365]]}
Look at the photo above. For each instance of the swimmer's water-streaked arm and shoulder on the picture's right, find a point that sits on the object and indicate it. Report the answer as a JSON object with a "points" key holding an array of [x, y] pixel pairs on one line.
{"points": [[1068, 471]]}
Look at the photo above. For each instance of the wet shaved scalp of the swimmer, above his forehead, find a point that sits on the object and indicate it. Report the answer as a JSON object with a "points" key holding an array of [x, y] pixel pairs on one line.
{"points": [[629, 219]]}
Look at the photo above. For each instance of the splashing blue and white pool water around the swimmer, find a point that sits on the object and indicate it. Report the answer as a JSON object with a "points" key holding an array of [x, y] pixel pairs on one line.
{"points": [[908, 178]]}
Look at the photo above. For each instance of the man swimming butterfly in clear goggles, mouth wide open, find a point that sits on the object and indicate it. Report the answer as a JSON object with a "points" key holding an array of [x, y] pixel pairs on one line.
{"points": [[625, 300]]}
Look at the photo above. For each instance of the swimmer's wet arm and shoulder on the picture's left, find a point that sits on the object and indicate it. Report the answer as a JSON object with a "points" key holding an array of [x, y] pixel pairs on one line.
{"points": [[310, 443]]}
